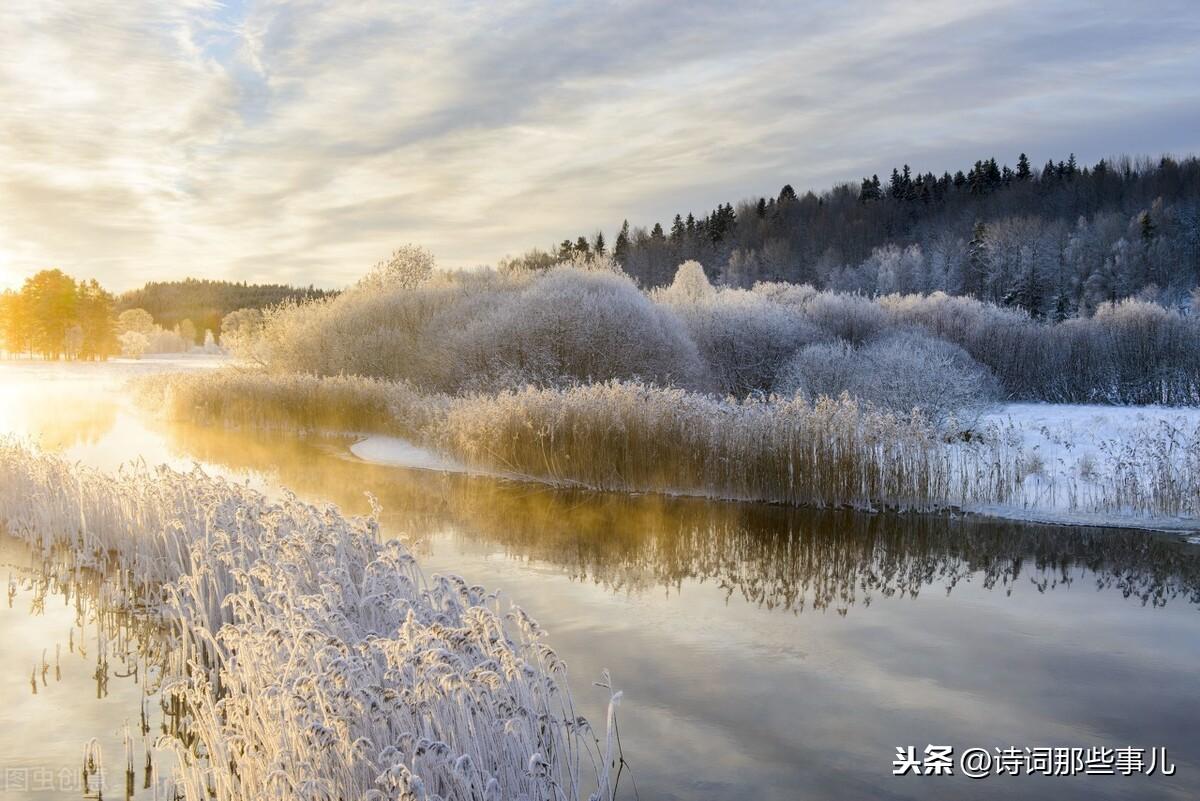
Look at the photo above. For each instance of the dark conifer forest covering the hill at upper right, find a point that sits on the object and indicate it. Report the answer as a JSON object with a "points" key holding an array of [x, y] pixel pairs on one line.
{"points": [[1057, 242]]}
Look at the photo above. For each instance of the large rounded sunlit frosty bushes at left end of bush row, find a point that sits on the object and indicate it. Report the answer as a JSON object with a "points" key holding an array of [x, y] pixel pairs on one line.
{"points": [[484, 330]]}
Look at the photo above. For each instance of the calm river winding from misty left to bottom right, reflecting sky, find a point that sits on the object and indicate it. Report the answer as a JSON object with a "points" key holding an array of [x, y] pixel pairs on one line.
{"points": [[778, 653]]}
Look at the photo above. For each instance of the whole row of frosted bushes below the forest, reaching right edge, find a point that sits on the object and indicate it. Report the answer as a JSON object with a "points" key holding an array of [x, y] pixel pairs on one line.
{"points": [[587, 322]]}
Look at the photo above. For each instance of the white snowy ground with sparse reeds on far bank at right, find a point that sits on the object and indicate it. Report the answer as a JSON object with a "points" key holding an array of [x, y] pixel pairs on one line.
{"points": [[1081, 457]]}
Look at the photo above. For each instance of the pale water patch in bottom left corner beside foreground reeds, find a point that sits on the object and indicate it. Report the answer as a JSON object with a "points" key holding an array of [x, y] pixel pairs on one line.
{"points": [[76, 666]]}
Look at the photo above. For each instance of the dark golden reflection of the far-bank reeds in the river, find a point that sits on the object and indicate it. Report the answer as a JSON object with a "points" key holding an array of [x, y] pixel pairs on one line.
{"points": [[771, 556]]}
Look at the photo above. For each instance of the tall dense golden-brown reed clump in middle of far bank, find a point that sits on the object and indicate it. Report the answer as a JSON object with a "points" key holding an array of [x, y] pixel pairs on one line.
{"points": [[633, 437]]}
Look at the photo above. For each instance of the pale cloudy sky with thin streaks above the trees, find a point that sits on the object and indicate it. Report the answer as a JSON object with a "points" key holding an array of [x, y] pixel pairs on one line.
{"points": [[302, 142]]}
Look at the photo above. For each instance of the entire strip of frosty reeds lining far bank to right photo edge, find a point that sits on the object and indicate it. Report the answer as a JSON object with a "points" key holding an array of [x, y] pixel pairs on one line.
{"points": [[635, 437]]}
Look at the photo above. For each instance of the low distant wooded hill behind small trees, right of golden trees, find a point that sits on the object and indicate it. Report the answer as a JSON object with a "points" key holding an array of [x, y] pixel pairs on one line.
{"points": [[206, 303]]}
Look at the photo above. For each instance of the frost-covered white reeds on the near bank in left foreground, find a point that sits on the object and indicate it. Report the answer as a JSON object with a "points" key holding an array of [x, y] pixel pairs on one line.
{"points": [[310, 659]]}
